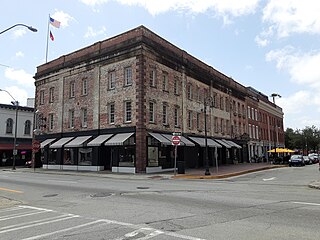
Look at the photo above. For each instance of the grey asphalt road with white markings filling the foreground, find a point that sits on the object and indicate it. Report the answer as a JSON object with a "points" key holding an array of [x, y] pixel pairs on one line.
{"points": [[273, 204]]}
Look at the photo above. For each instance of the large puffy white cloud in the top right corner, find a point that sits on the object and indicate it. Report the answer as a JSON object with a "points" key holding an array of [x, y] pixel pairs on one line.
{"points": [[293, 16]]}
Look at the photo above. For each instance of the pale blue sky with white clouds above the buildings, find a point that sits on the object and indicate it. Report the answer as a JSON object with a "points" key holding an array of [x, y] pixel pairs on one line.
{"points": [[270, 45]]}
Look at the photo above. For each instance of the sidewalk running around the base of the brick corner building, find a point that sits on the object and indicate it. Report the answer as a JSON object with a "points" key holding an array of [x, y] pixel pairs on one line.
{"points": [[224, 171]]}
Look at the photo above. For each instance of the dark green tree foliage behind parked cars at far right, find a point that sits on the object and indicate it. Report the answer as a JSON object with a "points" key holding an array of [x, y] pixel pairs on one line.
{"points": [[307, 138]]}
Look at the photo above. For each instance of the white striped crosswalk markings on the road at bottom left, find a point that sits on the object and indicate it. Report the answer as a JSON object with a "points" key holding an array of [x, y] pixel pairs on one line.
{"points": [[146, 232]]}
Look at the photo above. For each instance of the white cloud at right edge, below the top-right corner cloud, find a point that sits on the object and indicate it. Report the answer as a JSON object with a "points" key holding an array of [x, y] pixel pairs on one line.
{"points": [[302, 67]]}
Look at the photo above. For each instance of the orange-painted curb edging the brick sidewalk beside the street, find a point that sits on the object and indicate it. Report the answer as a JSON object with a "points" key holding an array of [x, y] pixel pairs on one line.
{"points": [[227, 175]]}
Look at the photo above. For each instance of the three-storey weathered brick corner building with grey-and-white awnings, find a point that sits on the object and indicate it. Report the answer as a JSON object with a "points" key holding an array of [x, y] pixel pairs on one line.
{"points": [[115, 104]]}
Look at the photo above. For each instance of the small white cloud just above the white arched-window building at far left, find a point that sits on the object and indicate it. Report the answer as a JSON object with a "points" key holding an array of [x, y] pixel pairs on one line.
{"points": [[17, 93]]}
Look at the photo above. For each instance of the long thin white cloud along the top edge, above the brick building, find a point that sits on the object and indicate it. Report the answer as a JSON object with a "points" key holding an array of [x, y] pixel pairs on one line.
{"points": [[224, 9]]}
